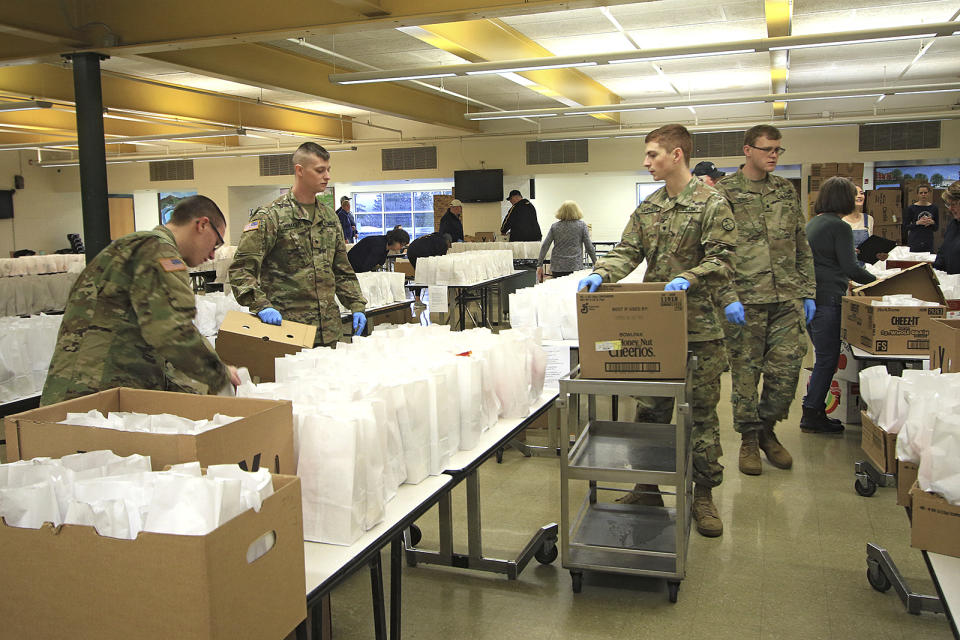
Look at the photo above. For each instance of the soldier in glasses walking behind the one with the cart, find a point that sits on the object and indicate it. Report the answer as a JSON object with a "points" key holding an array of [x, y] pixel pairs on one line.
{"points": [[775, 281]]}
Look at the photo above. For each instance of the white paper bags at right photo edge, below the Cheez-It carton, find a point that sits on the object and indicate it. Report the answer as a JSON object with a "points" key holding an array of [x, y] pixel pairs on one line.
{"points": [[923, 408]]}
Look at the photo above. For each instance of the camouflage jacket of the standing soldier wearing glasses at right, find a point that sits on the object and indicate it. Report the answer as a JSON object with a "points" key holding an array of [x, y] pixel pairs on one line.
{"points": [[774, 262]]}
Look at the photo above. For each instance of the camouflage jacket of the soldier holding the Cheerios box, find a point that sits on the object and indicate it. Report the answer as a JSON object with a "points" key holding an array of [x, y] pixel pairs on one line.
{"points": [[692, 237]]}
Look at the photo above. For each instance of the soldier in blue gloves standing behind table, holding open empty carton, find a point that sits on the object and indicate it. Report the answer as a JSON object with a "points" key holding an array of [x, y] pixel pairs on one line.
{"points": [[292, 260]]}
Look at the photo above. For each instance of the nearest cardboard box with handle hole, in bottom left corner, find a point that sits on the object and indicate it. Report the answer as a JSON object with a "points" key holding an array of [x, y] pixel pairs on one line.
{"points": [[69, 579]]}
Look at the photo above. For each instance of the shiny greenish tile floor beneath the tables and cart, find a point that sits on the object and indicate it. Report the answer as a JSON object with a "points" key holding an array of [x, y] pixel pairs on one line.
{"points": [[790, 564]]}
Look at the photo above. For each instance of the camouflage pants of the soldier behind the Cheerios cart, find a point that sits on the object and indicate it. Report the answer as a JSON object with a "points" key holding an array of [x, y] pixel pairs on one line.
{"points": [[705, 433]]}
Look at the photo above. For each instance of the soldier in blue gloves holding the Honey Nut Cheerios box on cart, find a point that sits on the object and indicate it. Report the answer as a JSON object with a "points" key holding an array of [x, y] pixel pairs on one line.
{"points": [[687, 234]]}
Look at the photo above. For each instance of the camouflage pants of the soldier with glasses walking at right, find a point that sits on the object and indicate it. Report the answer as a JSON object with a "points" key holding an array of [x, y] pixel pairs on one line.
{"points": [[772, 343]]}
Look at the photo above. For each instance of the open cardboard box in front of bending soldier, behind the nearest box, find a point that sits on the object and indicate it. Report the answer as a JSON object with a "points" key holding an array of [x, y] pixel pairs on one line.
{"points": [[264, 437]]}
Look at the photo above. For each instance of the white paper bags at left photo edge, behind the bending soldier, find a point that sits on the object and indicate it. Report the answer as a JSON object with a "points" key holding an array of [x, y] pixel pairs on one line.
{"points": [[26, 347]]}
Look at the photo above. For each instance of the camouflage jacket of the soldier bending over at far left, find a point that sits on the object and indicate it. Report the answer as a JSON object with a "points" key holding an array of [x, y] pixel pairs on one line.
{"points": [[130, 312]]}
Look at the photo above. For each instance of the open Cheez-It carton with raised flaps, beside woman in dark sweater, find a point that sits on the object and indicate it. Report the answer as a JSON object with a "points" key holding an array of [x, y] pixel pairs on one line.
{"points": [[893, 330]]}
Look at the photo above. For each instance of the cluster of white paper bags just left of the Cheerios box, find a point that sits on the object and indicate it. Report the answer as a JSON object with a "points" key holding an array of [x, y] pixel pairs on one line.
{"points": [[550, 305]]}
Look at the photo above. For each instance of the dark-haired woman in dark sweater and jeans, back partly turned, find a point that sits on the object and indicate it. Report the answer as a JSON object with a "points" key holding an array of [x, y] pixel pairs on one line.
{"points": [[834, 264]]}
